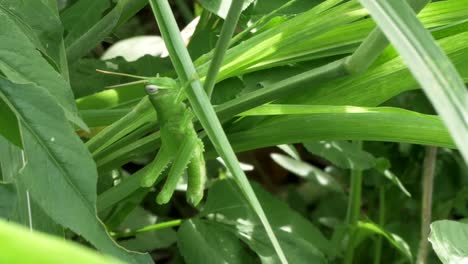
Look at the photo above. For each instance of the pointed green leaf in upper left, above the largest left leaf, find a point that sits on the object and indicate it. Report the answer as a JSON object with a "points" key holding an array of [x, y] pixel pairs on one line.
{"points": [[21, 62]]}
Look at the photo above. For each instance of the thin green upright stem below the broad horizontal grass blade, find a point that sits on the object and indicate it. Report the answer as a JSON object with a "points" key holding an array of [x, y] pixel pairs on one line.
{"points": [[354, 209]]}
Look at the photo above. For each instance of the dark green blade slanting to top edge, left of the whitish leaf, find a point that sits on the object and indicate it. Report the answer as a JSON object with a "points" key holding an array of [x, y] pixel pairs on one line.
{"points": [[88, 40]]}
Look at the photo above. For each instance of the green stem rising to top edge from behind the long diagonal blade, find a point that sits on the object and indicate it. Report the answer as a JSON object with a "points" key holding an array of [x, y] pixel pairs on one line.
{"points": [[222, 45]]}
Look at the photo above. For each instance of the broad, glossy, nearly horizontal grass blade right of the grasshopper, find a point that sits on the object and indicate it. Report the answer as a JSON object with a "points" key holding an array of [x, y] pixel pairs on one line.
{"points": [[338, 123]]}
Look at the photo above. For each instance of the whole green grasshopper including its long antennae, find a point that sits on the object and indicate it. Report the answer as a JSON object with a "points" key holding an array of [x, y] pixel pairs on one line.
{"points": [[180, 146]]}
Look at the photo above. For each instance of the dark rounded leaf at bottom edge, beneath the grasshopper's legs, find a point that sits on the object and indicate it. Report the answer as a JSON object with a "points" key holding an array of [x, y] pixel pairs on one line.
{"points": [[204, 242]]}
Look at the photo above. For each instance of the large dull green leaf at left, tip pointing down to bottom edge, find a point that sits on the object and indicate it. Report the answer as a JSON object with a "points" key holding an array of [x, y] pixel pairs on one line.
{"points": [[55, 156]]}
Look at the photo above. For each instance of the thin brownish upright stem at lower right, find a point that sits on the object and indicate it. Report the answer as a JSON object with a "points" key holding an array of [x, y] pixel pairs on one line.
{"points": [[426, 211]]}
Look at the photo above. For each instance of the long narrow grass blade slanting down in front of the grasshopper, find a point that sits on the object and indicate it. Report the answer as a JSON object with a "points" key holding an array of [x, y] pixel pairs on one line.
{"points": [[205, 112]]}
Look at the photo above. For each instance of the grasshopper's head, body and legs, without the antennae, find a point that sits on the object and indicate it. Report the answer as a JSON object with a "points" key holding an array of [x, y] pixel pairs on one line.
{"points": [[178, 137]]}
